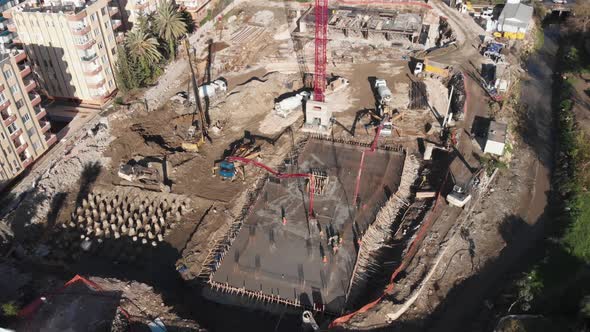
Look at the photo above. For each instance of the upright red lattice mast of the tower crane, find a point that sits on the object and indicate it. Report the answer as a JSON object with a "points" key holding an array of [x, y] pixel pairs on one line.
{"points": [[321, 42]]}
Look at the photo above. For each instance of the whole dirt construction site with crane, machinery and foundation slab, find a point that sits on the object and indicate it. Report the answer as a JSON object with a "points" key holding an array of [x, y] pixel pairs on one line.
{"points": [[294, 164]]}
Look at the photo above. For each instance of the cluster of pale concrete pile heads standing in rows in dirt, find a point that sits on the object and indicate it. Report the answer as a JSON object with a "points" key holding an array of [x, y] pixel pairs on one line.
{"points": [[141, 218]]}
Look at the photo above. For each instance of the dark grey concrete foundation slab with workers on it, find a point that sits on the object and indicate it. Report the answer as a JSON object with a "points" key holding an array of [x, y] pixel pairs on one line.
{"points": [[292, 260]]}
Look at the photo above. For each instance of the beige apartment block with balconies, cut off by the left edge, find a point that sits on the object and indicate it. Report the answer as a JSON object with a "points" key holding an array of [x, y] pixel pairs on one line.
{"points": [[24, 129]]}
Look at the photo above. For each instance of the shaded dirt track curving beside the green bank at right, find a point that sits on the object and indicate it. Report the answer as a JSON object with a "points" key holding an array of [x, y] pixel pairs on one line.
{"points": [[521, 231]]}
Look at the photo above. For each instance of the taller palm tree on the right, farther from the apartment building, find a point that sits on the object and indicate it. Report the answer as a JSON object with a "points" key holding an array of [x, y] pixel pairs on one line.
{"points": [[169, 24]]}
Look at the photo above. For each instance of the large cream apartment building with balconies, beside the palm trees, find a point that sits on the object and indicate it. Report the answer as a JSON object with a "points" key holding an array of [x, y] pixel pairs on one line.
{"points": [[72, 46]]}
